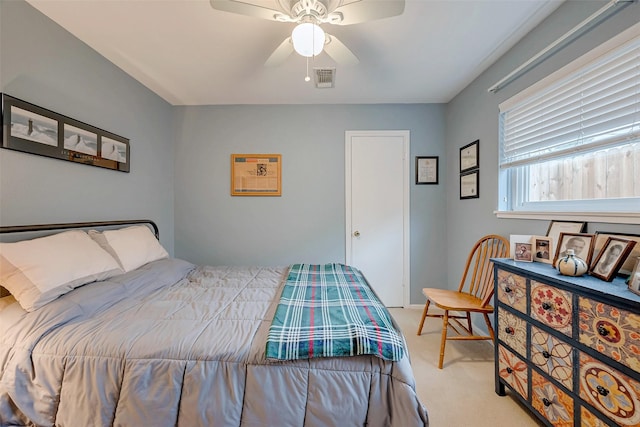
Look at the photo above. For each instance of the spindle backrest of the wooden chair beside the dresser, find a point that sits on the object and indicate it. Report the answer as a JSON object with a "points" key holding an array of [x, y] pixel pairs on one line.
{"points": [[478, 273]]}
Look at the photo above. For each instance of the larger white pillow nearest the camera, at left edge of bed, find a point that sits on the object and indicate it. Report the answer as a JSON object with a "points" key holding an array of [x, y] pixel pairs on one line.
{"points": [[40, 270]]}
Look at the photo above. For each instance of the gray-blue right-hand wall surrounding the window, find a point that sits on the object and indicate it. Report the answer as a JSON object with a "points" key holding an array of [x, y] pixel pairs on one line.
{"points": [[473, 114]]}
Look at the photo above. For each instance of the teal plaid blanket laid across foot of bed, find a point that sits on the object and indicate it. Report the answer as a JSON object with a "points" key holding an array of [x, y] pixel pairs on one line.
{"points": [[330, 310]]}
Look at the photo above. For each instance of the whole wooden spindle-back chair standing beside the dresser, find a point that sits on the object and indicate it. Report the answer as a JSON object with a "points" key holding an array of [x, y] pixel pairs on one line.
{"points": [[473, 295]]}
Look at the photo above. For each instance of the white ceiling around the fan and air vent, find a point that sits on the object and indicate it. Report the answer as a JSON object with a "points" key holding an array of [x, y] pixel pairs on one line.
{"points": [[190, 54]]}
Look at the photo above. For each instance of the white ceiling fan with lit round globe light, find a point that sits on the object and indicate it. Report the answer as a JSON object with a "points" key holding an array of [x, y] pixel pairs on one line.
{"points": [[308, 39]]}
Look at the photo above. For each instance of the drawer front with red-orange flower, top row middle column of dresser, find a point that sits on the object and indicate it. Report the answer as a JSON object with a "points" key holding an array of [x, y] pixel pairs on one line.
{"points": [[552, 307]]}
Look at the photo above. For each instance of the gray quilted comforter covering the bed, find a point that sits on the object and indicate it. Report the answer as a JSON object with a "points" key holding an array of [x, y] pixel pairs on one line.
{"points": [[174, 344]]}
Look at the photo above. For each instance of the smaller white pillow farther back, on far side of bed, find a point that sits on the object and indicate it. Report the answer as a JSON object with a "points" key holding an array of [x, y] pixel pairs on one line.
{"points": [[131, 246]]}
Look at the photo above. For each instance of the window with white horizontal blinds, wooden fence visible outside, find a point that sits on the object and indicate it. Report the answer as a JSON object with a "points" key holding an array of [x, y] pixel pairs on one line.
{"points": [[571, 143]]}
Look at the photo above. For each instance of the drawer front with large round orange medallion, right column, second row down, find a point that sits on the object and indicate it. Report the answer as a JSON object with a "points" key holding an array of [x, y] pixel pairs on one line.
{"points": [[613, 393]]}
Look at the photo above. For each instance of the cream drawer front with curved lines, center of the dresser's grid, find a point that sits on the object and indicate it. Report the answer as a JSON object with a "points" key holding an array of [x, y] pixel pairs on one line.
{"points": [[553, 356]]}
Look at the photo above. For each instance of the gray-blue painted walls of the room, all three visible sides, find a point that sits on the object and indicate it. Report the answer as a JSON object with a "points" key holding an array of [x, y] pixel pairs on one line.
{"points": [[180, 155]]}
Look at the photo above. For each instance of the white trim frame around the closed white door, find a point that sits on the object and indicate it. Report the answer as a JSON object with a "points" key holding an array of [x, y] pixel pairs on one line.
{"points": [[405, 134]]}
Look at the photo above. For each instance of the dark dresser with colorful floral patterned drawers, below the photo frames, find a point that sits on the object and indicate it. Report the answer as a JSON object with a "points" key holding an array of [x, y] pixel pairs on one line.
{"points": [[567, 347]]}
